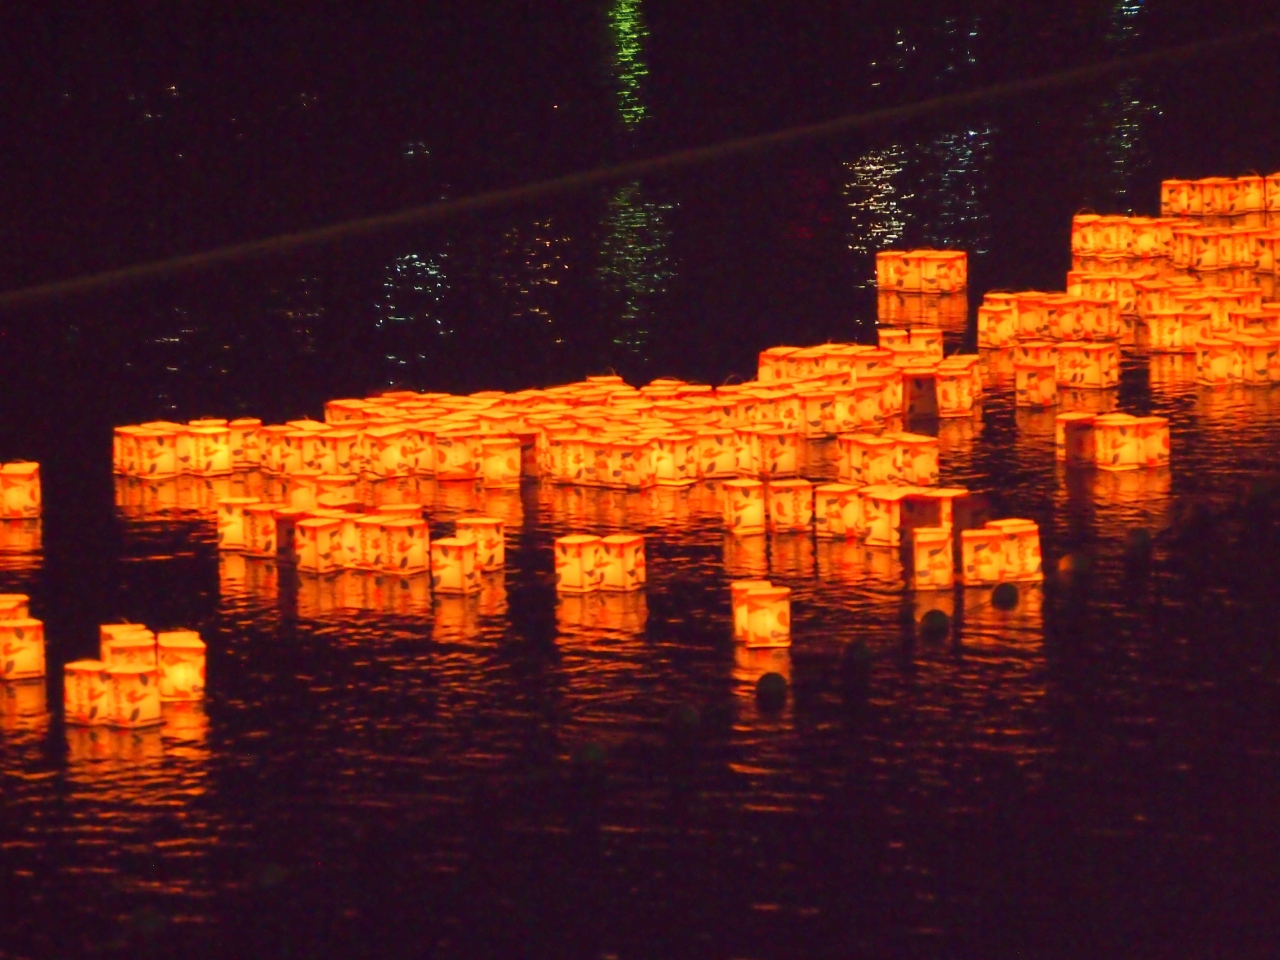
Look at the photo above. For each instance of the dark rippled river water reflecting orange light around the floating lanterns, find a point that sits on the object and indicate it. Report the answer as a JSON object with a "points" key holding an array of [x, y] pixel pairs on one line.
{"points": [[377, 772]]}
